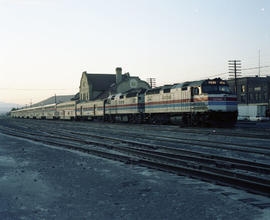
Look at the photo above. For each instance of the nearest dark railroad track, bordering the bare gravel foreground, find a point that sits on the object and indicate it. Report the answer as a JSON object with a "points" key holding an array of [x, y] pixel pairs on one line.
{"points": [[197, 166]]}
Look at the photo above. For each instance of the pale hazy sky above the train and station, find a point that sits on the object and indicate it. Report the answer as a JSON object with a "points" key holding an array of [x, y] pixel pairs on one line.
{"points": [[46, 44]]}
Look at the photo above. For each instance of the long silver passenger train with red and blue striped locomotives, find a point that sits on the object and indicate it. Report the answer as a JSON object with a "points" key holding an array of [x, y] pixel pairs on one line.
{"points": [[196, 103]]}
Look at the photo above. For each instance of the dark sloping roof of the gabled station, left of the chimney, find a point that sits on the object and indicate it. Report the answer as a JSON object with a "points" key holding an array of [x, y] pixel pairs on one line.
{"points": [[100, 81]]}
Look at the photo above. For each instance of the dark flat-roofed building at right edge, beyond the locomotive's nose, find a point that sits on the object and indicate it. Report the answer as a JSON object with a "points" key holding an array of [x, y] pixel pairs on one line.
{"points": [[253, 95]]}
